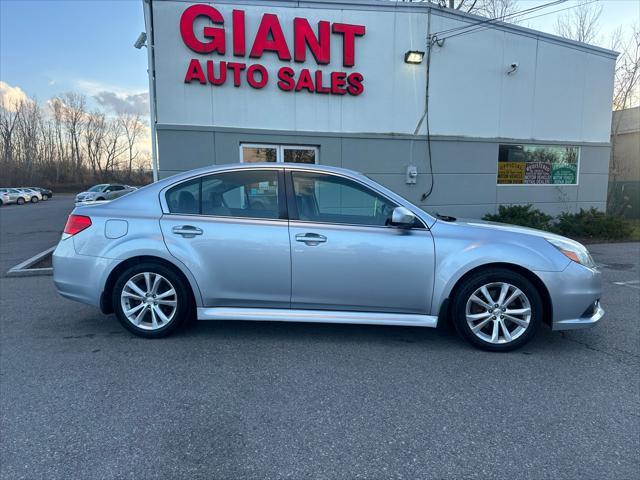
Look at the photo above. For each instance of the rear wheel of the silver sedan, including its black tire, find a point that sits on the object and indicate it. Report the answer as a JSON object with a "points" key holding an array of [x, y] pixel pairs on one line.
{"points": [[151, 324]]}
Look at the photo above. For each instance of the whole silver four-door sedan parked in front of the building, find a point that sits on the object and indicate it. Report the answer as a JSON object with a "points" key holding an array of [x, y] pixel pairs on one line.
{"points": [[306, 243]]}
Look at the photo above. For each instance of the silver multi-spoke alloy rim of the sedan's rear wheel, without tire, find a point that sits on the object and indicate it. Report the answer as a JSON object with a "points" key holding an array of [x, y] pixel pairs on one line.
{"points": [[149, 301]]}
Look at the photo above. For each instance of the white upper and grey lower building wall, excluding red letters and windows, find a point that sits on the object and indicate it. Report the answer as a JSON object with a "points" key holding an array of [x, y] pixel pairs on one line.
{"points": [[561, 93]]}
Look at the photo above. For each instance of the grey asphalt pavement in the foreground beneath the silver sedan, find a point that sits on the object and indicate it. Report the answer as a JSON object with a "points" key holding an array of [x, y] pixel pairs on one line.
{"points": [[83, 398]]}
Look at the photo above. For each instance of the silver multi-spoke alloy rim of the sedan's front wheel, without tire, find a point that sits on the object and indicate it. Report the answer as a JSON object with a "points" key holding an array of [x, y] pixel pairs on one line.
{"points": [[498, 313]]}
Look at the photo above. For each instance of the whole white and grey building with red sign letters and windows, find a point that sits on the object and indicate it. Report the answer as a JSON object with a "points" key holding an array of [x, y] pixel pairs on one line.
{"points": [[514, 115]]}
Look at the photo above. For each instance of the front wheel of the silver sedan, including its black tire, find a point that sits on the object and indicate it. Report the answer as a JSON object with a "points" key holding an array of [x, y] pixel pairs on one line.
{"points": [[513, 329]]}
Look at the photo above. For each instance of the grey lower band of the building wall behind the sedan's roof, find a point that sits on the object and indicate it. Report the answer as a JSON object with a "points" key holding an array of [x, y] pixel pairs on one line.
{"points": [[464, 170]]}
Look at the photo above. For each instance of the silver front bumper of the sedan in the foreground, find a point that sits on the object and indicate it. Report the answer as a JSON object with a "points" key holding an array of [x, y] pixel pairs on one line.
{"points": [[575, 296]]}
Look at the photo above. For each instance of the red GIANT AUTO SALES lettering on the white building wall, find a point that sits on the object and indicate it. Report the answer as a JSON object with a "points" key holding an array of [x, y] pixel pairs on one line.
{"points": [[269, 39]]}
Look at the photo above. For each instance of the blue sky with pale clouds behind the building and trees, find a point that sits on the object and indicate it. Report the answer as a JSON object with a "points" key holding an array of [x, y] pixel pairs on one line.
{"points": [[48, 47]]}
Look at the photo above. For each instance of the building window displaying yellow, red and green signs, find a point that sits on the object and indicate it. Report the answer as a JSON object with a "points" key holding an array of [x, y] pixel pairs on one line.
{"points": [[538, 164]]}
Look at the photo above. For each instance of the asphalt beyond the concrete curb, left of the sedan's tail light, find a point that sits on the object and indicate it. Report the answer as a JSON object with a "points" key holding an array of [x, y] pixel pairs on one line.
{"points": [[28, 229]]}
